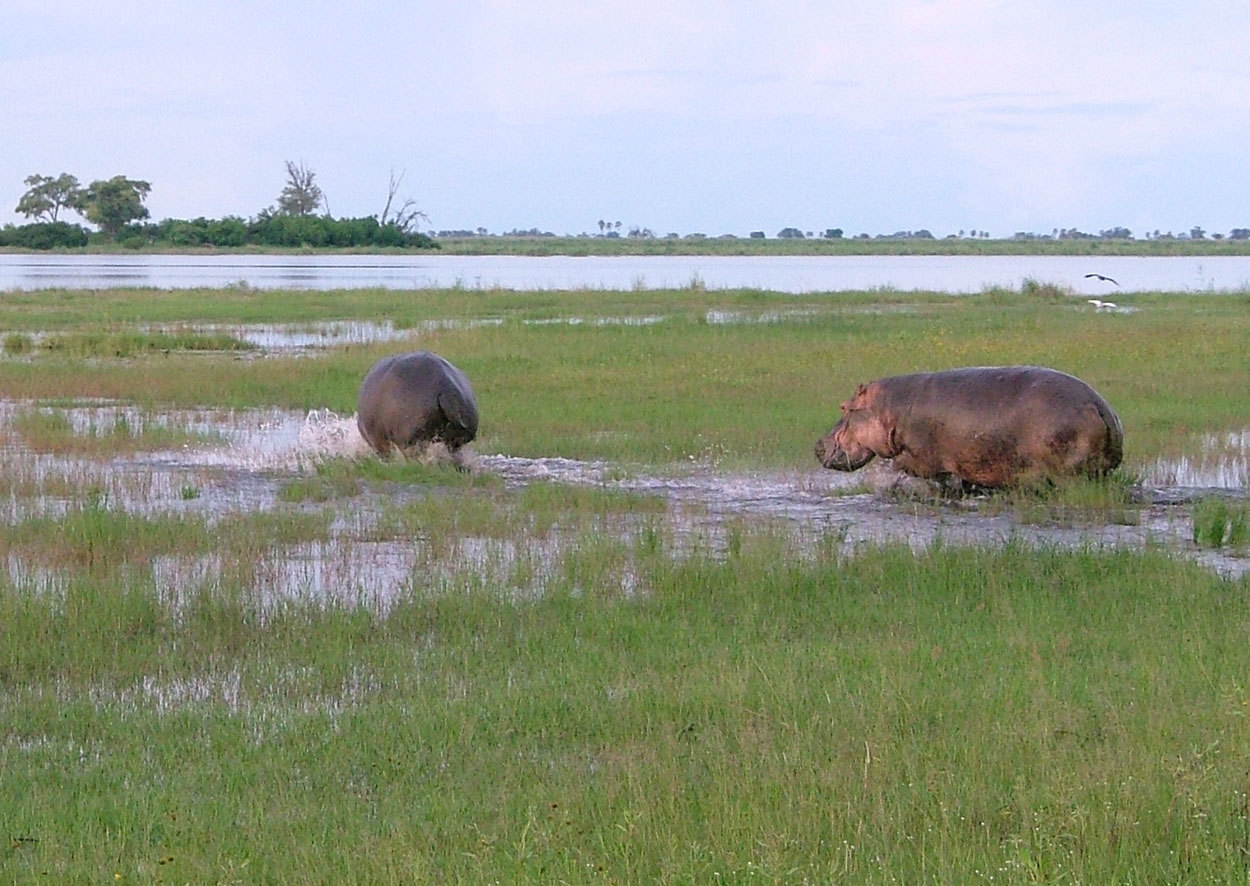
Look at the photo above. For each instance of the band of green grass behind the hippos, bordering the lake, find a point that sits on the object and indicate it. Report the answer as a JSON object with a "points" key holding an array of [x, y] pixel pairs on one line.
{"points": [[684, 389]]}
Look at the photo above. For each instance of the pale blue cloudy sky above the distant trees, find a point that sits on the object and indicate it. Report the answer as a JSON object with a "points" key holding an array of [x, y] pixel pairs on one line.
{"points": [[713, 117]]}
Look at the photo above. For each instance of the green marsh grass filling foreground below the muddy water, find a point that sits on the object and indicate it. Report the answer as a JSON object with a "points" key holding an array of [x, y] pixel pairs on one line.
{"points": [[938, 718]]}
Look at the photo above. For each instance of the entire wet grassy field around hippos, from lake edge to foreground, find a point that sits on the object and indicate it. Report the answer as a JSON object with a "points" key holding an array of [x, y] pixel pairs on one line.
{"points": [[559, 685]]}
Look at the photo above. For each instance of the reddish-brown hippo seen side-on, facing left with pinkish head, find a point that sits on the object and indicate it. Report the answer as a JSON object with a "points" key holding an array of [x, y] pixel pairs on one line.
{"points": [[979, 427]]}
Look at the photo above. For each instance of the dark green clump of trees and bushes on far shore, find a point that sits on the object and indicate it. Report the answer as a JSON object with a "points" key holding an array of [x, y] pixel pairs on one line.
{"points": [[117, 208]]}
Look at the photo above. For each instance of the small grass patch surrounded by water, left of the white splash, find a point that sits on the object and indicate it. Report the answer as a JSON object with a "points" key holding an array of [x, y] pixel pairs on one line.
{"points": [[47, 431]]}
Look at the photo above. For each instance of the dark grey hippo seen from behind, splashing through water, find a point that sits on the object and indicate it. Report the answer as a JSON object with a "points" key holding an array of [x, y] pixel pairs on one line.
{"points": [[411, 401]]}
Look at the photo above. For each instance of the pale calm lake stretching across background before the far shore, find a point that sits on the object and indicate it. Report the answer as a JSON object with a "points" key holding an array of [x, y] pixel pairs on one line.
{"points": [[782, 274]]}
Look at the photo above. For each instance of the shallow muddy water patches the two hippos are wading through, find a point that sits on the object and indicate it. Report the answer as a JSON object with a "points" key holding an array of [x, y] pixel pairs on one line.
{"points": [[261, 449]]}
